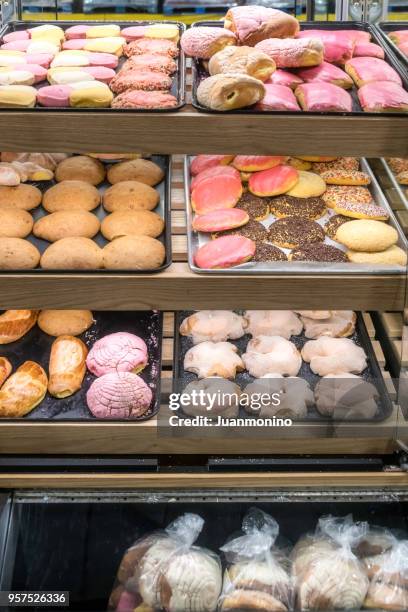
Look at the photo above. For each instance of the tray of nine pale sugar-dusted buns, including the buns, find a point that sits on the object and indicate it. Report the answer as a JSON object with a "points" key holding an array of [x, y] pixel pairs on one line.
{"points": [[320, 363]]}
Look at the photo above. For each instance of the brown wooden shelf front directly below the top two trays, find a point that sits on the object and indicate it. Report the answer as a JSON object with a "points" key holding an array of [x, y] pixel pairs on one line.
{"points": [[189, 131]]}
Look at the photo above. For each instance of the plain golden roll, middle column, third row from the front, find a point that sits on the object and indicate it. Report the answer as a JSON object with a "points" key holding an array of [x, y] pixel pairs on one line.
{"points": [[71, 195]]}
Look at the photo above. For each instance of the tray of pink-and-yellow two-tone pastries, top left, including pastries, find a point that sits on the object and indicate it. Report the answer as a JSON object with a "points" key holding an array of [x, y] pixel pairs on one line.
{"points": [[134, 66]]}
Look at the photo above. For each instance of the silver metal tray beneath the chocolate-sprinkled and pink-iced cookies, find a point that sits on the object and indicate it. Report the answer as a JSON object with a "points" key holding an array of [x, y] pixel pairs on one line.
{"points": [[195, 240]]}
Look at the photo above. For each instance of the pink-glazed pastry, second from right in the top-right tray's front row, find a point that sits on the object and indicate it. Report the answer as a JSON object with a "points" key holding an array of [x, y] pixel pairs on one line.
{"points": [[323, 97]]}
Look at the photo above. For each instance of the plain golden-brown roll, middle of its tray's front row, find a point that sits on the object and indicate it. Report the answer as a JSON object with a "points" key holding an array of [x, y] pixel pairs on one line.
{"points": [[72, 254]]}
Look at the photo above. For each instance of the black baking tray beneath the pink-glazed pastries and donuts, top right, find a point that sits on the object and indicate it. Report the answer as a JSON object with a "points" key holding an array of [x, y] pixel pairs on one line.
{"points": [[199, 72]]}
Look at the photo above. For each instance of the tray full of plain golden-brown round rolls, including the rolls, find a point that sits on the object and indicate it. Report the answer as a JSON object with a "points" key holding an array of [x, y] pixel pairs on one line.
{"points": [[91, 213]]}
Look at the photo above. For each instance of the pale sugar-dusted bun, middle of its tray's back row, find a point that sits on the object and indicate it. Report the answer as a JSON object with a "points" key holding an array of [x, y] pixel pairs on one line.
{"points": [[272, 323]]}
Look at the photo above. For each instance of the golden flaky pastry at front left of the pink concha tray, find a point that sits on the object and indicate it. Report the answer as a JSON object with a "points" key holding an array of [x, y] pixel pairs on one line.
{"points": [[23, 391]]}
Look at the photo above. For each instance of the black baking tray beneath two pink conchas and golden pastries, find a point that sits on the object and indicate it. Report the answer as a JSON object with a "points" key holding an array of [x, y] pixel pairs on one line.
{"points": [[36, 346]]}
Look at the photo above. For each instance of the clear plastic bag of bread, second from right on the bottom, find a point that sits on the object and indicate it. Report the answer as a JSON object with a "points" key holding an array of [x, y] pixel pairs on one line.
{"points": [[327, 573]]}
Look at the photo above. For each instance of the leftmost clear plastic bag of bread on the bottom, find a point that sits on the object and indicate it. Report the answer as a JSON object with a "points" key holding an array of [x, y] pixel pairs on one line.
{"points": [[164, 571]]}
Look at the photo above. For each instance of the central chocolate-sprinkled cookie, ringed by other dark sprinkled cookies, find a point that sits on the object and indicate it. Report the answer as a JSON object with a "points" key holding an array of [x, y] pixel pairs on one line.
{"points": [[291, 232]]}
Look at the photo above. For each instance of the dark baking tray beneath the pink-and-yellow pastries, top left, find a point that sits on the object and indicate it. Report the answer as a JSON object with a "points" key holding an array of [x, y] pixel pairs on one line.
{"points": [[178, 88]]}
